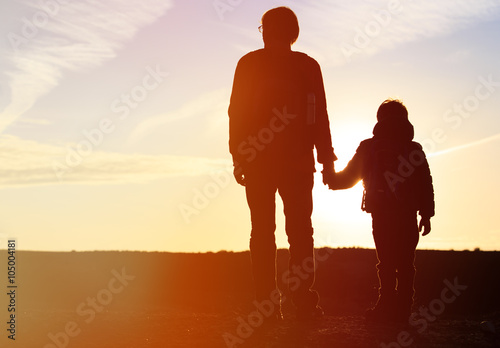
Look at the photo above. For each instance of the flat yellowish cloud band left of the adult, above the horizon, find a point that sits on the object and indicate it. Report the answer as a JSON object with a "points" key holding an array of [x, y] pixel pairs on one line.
{"points": [[26, 162]]}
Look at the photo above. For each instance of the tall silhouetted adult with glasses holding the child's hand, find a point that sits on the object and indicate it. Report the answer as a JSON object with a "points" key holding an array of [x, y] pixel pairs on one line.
{"points": [[277, 115]]}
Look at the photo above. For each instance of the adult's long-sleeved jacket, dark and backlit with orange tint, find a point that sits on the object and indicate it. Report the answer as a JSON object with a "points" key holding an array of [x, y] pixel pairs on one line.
{"points": [[277, 113]]}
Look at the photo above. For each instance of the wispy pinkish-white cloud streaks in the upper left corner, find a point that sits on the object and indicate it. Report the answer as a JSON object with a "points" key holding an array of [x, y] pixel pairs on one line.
{"points": [[67, 35]]}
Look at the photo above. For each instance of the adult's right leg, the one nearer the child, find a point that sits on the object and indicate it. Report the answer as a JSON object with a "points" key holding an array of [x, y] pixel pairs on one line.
{"points": [[295, 188]]}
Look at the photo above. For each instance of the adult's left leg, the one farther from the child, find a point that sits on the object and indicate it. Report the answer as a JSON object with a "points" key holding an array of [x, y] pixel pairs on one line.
{"points": [[261, 192]]}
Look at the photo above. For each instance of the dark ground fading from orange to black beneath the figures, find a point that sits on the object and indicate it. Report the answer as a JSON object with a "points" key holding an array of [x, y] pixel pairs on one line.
{"points": [[199, 300]]}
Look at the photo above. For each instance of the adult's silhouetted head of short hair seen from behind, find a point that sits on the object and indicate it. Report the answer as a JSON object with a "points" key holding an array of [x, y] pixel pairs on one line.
{"points": [[280, 24]]}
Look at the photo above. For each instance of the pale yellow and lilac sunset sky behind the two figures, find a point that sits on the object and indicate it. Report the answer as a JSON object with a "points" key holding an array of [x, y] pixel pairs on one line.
{"points": [[114, 127]]}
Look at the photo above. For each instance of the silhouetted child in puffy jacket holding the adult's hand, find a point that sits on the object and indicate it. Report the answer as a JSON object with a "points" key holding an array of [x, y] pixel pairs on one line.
{"points": [[398, 184]]}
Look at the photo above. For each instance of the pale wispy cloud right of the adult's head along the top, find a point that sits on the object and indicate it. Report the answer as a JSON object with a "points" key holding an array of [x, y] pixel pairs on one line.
{"points": [[335, 32]]}
